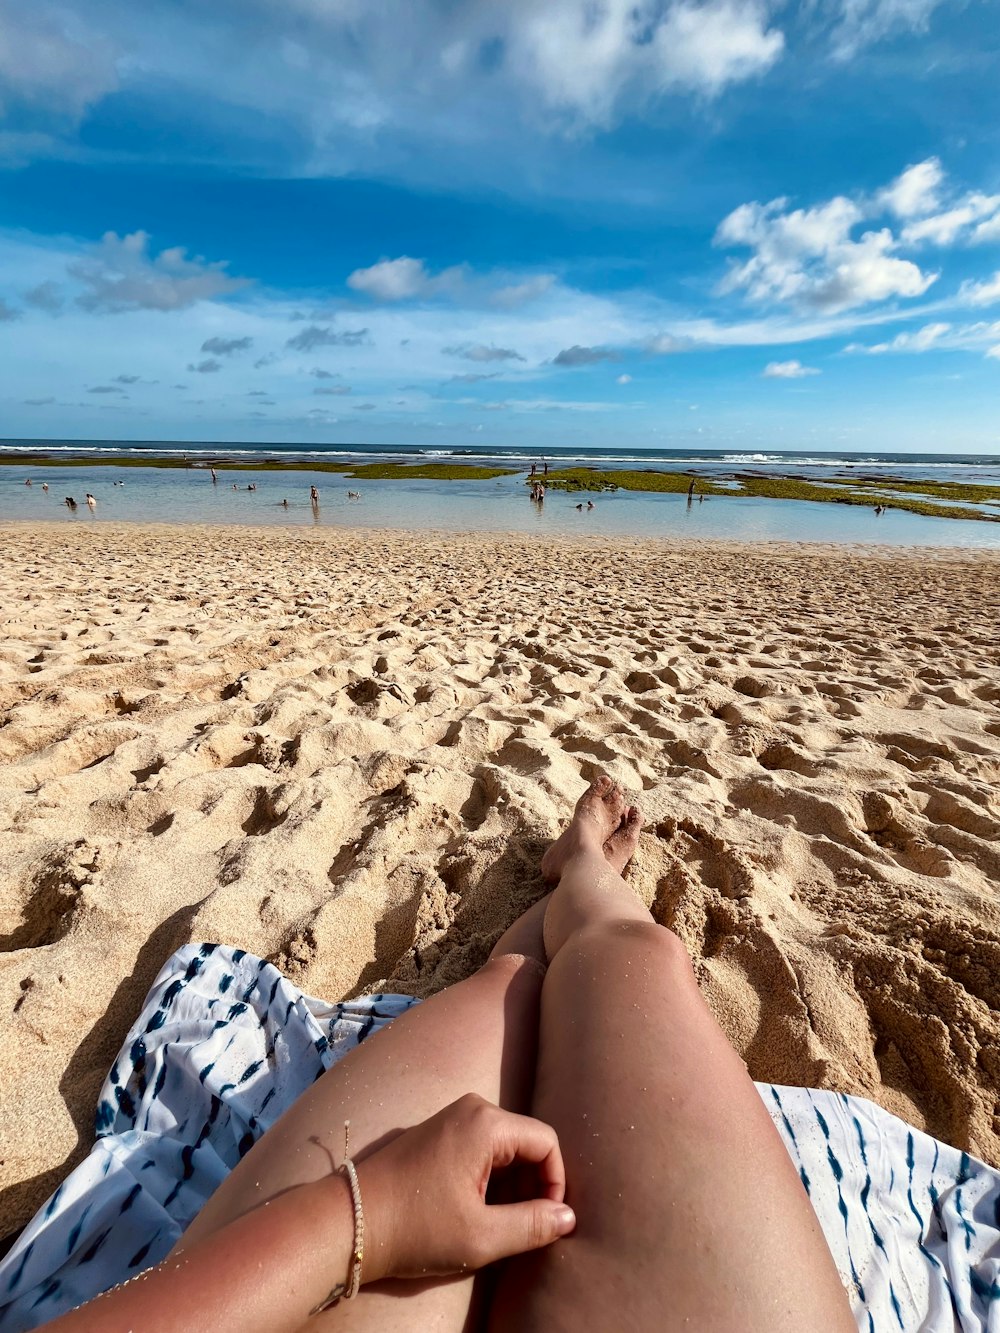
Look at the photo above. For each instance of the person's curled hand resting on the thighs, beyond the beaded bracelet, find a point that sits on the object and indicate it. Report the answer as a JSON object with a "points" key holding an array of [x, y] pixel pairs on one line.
{"points": [[425, 1194]]}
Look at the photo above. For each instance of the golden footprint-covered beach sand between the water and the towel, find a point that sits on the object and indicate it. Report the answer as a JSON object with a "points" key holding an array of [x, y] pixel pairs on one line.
{"points": [[347, 751]]}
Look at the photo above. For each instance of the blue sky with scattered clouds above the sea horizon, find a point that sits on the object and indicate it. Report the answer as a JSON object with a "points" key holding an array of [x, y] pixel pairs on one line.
{"points": [[737, 225]]}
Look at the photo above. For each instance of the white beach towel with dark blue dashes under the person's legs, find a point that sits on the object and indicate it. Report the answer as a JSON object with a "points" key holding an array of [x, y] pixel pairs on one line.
{"points": [[226, 1044]]}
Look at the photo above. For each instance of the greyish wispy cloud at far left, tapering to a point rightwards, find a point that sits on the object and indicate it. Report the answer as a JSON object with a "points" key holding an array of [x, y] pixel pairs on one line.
{"points": [[121, 275]]}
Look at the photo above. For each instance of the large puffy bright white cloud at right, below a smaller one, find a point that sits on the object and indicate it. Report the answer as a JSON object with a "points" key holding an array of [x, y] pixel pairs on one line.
{"points": [[809, 258]]}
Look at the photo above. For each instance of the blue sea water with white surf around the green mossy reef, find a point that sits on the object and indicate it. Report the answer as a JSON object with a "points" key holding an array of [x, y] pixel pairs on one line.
{"points": [[175, 495]]}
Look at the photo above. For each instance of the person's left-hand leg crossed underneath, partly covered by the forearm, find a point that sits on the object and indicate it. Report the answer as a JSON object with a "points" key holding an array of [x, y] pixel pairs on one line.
{"points": [[478, 1036]]}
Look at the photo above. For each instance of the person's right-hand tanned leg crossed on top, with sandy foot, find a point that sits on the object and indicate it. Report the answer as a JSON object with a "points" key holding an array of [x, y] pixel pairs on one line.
{"points": [[690, 1212]]}
